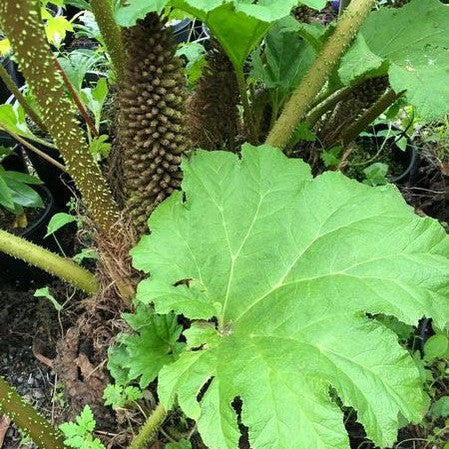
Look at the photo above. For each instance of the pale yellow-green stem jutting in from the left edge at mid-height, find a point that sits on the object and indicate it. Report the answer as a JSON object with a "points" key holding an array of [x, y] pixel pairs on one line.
{"points": [[51, 263]]}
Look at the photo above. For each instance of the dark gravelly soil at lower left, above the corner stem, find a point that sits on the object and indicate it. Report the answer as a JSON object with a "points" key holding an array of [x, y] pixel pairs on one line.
{"points": [[29, 329]]}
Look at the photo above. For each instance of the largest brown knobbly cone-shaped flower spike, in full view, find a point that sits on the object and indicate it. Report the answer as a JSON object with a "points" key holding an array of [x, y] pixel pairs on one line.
{"points": [[151, 121]]}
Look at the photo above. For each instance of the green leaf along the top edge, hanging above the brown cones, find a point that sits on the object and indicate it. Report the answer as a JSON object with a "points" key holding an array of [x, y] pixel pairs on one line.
{"points": [[239, 25]]}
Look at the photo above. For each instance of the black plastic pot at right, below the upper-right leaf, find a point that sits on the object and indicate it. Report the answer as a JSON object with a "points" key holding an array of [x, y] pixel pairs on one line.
{"points": [[408, 158]]}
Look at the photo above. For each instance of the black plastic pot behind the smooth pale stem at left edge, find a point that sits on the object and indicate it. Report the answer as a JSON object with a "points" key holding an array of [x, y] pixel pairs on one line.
{"points": [[14, 270]]}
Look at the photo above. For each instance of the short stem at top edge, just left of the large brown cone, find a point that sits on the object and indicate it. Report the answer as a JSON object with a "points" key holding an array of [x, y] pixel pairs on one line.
{"points": [[111, 33]]}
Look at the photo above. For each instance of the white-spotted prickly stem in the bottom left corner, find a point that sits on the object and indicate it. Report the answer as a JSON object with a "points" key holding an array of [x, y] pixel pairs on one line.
{"points": [[27, 419]]}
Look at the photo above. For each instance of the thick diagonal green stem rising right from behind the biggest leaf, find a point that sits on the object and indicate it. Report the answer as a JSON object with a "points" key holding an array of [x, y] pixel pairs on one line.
{"points": [[304, 95]]}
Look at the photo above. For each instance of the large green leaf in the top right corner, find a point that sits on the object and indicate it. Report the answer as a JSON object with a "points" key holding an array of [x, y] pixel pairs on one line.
{"points": [[414, 40]]}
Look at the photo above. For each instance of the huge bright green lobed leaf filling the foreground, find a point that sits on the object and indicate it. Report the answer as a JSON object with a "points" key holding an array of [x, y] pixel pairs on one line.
{"points": [[290, 266]]}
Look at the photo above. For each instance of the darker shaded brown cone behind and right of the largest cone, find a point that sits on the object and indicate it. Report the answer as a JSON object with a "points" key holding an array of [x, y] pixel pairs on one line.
{"points": [[214, 122]]}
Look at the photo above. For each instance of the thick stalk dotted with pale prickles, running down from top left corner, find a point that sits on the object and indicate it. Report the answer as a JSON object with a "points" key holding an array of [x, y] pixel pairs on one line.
{"points": [[20, 20]]}
